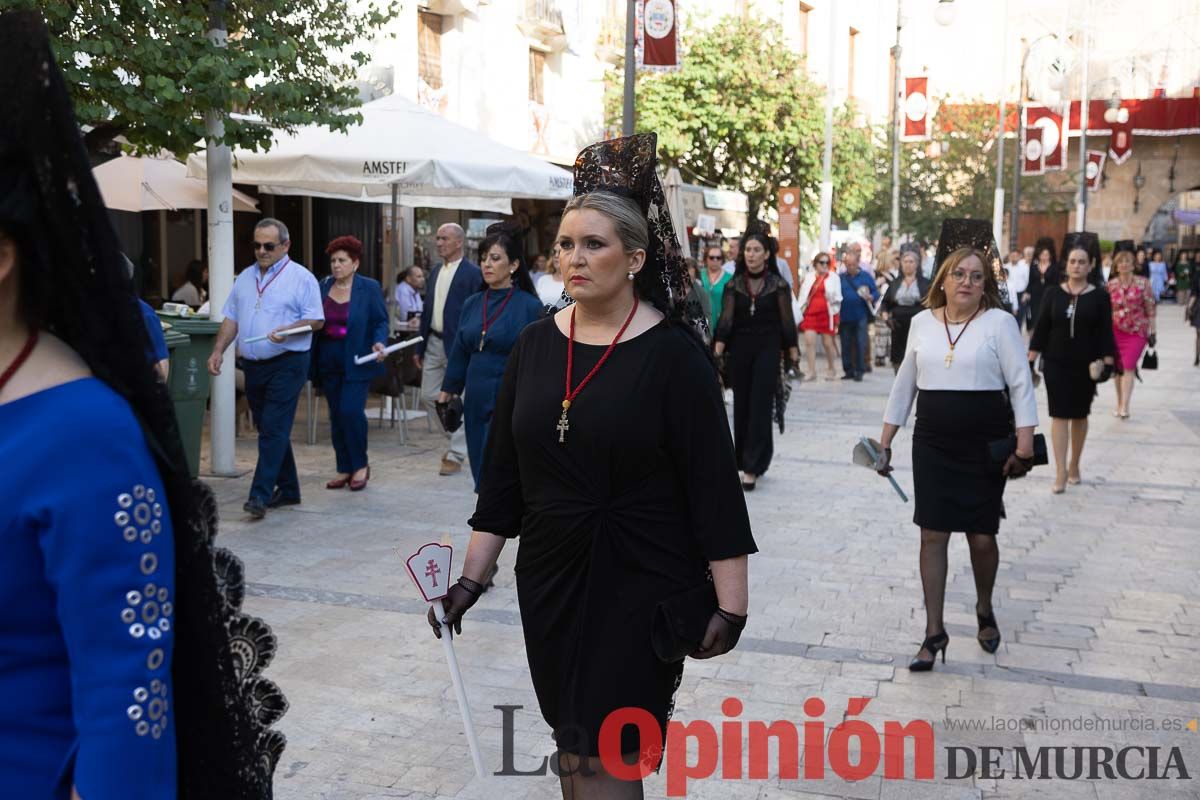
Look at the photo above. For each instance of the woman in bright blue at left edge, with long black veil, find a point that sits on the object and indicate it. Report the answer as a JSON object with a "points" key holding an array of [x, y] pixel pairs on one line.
{"points": [[117, 666]]}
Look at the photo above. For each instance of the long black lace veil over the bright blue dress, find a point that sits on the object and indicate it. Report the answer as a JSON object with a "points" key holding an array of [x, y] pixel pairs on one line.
{"points": [[75, 285]]}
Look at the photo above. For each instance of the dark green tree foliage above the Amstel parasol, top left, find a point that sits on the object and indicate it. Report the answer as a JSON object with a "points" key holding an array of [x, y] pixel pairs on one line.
{"points": [[147, 71]]}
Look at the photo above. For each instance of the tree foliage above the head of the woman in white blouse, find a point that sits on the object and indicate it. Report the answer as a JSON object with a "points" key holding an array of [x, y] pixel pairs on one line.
{"points": [[955, 178]]}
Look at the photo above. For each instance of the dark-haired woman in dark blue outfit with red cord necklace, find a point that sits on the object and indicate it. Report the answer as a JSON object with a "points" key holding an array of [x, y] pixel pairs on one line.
{"points": [[488, 330]]}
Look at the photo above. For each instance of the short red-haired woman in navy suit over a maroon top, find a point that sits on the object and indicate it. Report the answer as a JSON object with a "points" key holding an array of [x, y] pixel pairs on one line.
{"points": [[356, 324]]}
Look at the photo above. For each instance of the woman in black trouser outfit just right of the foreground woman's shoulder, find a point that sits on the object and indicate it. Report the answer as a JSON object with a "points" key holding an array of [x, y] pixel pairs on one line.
{"points": [[755, 329]]}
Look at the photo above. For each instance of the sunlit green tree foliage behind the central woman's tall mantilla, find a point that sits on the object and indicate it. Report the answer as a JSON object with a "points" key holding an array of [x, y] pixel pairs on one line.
{"points": [[743, 113]]}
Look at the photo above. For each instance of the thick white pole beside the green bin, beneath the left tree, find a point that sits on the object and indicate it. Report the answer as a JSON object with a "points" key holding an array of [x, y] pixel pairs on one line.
{"points": [[219, 170]]}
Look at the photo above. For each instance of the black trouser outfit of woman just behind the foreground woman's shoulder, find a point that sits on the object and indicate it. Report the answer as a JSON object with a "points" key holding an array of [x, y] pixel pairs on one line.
{"points": [[757, 342]]}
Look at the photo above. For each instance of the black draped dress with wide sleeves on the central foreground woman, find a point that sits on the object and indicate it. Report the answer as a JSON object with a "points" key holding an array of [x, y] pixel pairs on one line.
{"points": [[626, 513]]}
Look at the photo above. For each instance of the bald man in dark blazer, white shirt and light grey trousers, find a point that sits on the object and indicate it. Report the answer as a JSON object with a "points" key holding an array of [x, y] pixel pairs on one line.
{"points": [[451, 284]]}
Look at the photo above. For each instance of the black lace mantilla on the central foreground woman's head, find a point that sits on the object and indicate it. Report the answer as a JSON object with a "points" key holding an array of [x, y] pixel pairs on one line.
{"points": [[628, 167]]}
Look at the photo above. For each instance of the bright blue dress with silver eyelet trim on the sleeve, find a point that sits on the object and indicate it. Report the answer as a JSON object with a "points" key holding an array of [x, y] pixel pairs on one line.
{"points": [[88, 587]]}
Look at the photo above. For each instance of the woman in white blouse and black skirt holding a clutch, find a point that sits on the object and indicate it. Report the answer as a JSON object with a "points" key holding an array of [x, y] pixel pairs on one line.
{"points": [[963, 352]]}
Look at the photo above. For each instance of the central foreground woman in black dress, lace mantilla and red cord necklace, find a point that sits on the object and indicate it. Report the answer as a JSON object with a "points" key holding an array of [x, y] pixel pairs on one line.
{"points": [[610, 458]]}
